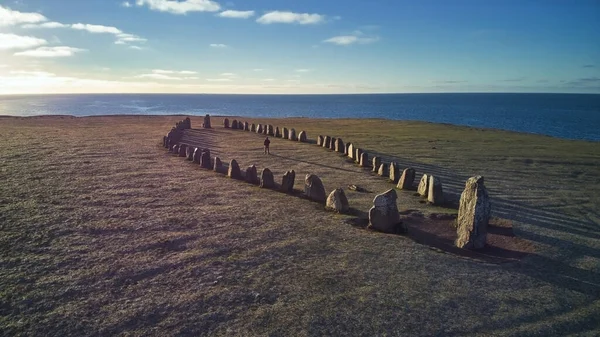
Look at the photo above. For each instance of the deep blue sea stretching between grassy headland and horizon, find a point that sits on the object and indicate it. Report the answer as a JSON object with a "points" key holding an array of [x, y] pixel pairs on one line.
{"points": [[569, 116]]}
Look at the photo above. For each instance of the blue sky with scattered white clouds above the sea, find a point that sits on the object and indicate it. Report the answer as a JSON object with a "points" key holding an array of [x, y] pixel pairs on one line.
{"points": [[299, 47]]}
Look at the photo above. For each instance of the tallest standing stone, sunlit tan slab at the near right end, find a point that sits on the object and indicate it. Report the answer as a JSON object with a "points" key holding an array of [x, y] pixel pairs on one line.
{"points": [[473, 215]]}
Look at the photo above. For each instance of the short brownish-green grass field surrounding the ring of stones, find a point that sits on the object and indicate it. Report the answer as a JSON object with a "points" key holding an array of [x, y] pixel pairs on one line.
{"points": [[103, 232]]}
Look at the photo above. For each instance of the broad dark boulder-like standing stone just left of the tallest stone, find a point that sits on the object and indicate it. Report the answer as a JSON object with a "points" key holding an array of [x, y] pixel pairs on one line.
{"points": [[384, 216]]}
